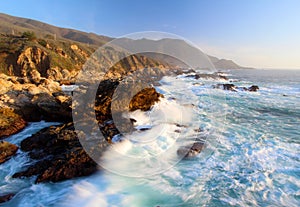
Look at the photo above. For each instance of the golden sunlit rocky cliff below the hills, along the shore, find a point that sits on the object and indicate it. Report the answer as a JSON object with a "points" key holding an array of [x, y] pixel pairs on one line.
{"points": [[58, 60]]}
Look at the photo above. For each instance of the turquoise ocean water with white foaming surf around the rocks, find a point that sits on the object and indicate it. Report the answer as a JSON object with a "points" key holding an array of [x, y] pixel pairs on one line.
{"points": [[251, 158]]}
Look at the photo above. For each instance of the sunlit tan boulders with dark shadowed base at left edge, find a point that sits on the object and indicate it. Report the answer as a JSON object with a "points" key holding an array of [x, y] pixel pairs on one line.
{"points": [[35, 102]]}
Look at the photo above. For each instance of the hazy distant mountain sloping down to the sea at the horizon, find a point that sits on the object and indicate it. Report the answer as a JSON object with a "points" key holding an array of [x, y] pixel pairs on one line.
{"points": [[180, 49]]}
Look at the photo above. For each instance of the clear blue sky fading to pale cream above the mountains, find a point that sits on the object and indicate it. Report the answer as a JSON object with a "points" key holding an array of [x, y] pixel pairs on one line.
{"points": [[253, 33]]}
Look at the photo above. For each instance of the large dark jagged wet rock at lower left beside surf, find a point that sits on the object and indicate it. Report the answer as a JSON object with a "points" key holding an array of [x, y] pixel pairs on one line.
{"points": [[59, 155]]}
